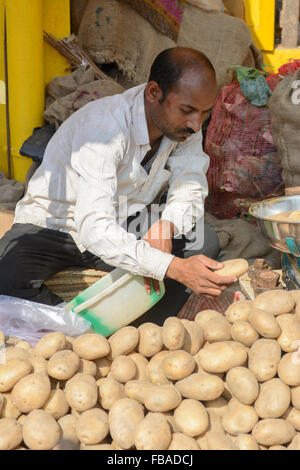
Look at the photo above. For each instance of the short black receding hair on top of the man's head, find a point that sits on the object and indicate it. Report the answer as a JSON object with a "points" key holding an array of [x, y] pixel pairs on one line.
{"points": [[168, 67]]}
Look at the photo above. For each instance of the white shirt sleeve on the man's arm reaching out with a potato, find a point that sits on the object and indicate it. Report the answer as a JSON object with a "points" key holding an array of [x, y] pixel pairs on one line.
{"points": [[95, 215]]}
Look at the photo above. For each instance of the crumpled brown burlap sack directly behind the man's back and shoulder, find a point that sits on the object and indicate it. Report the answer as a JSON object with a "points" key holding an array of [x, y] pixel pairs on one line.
{"points": [[86, 91]]}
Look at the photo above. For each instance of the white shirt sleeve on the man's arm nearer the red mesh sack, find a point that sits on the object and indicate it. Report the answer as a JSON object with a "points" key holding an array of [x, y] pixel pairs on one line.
{"points": [[188, 165]]}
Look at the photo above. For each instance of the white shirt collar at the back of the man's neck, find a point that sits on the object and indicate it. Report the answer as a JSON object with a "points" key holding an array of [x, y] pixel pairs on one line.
{"points": [[139, 121]]}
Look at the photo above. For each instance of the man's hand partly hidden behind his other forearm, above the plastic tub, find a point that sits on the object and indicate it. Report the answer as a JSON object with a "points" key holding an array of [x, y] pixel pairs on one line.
{"points": [[159, 236]]}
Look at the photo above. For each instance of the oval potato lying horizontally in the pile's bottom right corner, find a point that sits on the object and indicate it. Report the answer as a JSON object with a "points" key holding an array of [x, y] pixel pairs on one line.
{"points": [[273, 432]]}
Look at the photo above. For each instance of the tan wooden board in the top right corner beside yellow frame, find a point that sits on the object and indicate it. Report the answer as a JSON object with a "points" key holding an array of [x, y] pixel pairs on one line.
{"points": [[289, 23]]}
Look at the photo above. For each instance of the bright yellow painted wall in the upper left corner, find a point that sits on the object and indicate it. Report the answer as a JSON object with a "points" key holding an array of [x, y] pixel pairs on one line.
{"points": [[31, 65]]}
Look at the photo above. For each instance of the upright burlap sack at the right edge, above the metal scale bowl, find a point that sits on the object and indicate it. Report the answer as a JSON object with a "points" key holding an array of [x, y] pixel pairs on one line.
{"points": [[285, 124]]}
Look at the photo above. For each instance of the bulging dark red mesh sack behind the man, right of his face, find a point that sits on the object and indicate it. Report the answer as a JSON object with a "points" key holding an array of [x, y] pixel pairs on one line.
{"points": [[244, 166]]}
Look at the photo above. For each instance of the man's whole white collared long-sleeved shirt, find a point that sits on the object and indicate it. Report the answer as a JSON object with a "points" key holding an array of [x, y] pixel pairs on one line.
{"points": [[91, 178]]}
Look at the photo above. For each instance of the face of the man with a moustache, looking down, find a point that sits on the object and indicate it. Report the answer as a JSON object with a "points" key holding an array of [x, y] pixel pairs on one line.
{"points": [[184, 109]]}
